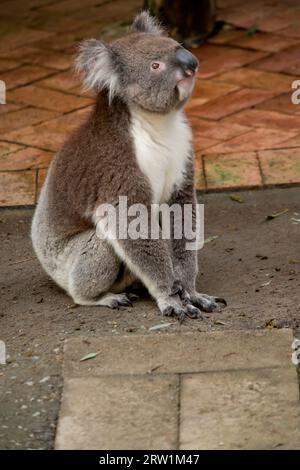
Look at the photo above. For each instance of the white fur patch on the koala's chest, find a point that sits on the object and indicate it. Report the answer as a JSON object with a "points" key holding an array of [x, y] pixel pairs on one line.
{"points": [[162, 146]]}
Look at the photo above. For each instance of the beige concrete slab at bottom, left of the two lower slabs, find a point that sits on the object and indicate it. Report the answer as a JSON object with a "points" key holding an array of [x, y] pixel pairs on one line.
{"points": [[119, 413]]}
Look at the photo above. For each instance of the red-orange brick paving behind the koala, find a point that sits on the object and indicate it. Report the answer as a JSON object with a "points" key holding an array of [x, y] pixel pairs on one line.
{"points": [[246, 128]]}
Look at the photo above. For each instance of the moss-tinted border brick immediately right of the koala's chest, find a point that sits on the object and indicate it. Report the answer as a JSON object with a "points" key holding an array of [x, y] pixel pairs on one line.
{"points": [[232, 171]]}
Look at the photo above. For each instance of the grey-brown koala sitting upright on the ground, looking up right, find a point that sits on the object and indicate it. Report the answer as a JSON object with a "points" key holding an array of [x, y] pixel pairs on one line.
{"points": [[135, 143]]}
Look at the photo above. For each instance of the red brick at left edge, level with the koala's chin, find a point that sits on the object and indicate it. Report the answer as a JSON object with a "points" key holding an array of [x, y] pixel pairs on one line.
{"points": [[23, 118]]}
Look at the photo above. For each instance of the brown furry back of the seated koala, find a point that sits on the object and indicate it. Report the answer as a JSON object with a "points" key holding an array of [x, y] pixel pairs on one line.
{"points": [[95, 165]]}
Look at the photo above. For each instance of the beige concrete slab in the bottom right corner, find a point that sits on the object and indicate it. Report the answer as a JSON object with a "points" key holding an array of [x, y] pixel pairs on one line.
{"points": [[257, 409]]}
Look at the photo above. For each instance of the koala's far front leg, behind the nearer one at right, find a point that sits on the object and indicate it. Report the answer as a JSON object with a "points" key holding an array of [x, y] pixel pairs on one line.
{"points": [[185, 261]]}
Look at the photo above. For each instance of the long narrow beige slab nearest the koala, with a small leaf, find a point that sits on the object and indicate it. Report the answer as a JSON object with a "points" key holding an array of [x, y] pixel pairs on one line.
{"points": [[178, 353]]}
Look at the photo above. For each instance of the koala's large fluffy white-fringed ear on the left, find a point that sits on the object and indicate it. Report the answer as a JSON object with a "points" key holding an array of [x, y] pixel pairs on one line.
{"points": [[96, 61]]}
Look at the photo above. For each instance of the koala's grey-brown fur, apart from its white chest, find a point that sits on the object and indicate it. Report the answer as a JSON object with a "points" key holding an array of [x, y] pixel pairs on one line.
{"points": [[96, 165]]}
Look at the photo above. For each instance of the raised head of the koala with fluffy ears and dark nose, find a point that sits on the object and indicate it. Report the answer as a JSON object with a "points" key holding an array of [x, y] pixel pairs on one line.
{"points": [[145, 68]]}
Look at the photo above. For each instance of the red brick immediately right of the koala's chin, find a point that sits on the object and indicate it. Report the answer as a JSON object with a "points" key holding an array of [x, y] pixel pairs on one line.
{"points": [[233, 103]]}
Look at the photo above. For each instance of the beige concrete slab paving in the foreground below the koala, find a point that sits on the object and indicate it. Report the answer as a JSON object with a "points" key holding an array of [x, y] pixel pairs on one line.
{"points": [[231, 390]]}
